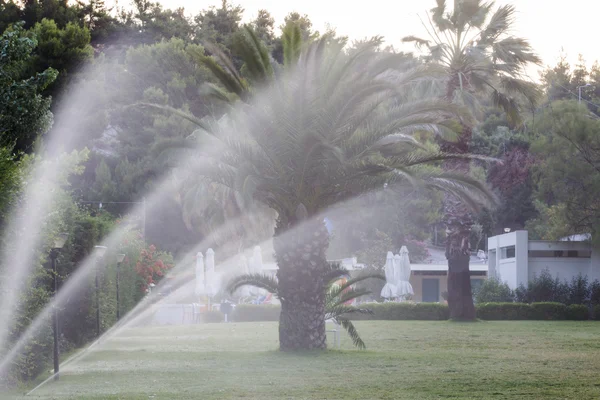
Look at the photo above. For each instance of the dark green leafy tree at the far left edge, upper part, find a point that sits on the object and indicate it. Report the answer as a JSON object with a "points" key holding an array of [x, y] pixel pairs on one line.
{"points": [[24, 111]]}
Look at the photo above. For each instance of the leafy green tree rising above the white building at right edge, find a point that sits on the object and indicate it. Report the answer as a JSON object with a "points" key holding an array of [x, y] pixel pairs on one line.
{"points": [[567, 176]]}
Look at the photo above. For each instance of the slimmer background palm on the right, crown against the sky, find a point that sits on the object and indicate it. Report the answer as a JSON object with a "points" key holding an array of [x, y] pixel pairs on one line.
{"points": [[481, 59]]}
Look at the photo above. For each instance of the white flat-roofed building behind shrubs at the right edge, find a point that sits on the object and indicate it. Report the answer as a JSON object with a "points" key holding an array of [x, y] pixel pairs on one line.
{"points": [[515, 259]]}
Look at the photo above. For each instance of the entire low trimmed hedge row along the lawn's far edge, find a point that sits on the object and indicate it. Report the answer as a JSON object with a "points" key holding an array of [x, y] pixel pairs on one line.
{"points": [[438, 312]]}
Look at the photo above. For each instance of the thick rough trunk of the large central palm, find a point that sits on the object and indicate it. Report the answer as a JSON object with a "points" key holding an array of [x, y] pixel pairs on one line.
{"points": [[300, 254]]}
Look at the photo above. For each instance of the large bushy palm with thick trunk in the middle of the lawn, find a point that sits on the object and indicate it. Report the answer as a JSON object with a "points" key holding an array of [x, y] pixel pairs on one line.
{"points": [[331, 127]]}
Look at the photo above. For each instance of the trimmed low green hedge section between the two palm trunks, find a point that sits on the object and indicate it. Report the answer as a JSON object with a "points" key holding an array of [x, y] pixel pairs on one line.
{"points": [[405, 311]]}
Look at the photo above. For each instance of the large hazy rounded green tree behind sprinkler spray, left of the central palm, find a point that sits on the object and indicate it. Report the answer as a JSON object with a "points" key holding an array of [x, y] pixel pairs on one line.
{"points": [[138, 147]]}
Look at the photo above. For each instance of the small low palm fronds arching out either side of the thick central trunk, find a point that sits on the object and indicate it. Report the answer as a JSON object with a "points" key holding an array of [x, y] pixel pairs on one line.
{"points": [[336, 296]]}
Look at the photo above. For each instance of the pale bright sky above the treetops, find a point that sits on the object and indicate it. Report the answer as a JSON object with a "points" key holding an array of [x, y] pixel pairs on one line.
{"points": [[551, 26]]}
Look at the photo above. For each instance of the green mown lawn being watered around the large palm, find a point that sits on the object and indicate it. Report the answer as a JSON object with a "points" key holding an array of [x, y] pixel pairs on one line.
{"points": [[404, 360]]}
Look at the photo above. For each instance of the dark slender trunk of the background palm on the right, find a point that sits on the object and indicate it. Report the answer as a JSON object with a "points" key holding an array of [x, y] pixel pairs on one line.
{"points": [[458, 221]]}
